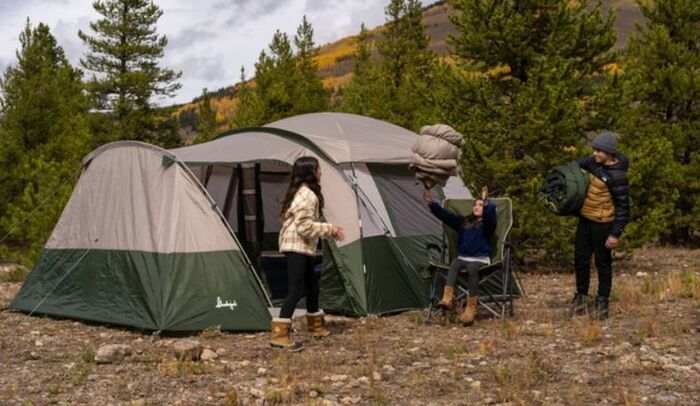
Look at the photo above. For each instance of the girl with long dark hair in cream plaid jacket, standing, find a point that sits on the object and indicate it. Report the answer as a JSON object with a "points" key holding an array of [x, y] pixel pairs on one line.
{"points": [[302, 209]]}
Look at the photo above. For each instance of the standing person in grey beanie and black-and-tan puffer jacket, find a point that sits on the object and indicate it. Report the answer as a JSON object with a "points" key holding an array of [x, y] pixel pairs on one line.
{"points": [[603, 217]]}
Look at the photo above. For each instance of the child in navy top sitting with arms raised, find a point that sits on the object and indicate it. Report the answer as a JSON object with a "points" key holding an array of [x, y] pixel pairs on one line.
{"points": [[474, 234]]}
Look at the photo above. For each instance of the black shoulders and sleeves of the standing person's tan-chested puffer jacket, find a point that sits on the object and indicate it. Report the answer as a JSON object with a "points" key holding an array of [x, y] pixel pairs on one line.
{"points": [[615, 176]]}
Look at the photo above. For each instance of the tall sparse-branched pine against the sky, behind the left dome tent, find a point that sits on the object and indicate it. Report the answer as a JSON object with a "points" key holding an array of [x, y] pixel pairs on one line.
{"points": [[124, 55]]}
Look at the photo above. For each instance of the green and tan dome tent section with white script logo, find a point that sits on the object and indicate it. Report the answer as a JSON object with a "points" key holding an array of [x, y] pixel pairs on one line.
{"points": [[141, 244]]}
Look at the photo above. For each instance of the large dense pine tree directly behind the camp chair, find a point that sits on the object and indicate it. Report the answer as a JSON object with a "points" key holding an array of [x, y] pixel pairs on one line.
{"points": [[527, 71]]}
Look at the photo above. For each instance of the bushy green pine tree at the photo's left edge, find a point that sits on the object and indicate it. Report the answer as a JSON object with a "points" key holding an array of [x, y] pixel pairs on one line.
{"points": [[43, 136]]}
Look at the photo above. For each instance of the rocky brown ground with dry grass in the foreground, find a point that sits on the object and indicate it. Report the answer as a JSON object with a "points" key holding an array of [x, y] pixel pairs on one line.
{"points": [[647, 353]]}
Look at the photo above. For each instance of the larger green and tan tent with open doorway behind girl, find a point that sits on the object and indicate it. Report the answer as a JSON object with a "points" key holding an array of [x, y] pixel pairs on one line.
{"points": [[369, 191]]}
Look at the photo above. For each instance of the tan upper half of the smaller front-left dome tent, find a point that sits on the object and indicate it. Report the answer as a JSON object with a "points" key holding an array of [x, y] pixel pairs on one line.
{"points": [[141, 183]]}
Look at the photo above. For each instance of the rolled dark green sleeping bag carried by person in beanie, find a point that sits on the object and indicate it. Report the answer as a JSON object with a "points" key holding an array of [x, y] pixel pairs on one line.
{"points": [[564, 189]]}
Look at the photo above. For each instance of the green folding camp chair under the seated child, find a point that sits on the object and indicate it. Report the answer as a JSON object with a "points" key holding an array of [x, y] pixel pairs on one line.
{"points": [[498, 284]]}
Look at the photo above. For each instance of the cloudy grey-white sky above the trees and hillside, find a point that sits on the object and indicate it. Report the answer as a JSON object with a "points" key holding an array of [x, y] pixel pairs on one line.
{"points": [[209, 39]]}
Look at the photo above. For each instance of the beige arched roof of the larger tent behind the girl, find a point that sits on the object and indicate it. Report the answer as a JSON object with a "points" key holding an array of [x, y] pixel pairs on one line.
{"points": [[339, 137]]}
